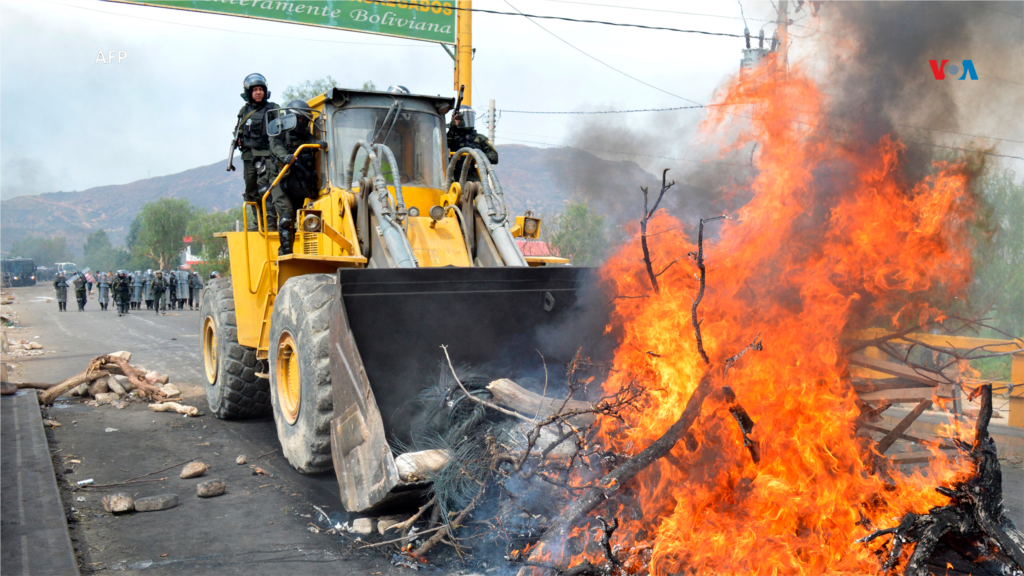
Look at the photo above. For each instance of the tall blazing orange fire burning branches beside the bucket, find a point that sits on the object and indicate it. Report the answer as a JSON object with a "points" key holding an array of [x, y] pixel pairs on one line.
{"points": [[833, 239]]}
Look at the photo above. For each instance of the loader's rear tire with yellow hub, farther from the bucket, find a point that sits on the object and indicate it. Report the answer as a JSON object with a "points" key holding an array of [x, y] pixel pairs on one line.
{"points": [[235, 391]]}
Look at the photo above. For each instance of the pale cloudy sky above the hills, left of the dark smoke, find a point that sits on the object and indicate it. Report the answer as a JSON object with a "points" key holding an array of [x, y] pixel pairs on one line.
{"points": [[170, 103]]}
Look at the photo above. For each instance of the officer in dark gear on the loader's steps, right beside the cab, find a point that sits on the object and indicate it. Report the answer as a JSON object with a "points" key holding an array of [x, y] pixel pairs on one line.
{"points": [[301, 182]]}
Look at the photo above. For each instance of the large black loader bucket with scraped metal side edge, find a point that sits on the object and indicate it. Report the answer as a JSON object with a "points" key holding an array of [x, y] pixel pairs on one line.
{"points": [[387, 334]]}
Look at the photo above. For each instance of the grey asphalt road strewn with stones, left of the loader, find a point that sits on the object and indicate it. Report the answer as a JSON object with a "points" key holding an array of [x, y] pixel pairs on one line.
{"points": [[261, 526]]}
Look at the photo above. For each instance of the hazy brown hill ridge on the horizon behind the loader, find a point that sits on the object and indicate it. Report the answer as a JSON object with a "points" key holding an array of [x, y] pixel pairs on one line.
{"points": [[539, 180]]}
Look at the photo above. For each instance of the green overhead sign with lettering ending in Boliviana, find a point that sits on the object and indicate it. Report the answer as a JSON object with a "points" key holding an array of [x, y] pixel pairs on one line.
{"points": [[432, 21]]}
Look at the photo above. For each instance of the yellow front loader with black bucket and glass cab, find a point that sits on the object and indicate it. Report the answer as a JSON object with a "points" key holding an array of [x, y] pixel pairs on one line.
{"points": [[398, 256]]}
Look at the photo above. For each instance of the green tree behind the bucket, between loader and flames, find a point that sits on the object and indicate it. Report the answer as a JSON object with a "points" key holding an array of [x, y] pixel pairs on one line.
{"points": [[579, 234]]}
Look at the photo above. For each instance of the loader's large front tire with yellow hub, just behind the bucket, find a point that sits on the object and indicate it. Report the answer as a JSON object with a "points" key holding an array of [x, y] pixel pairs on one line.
{"points": [[301, 371]]}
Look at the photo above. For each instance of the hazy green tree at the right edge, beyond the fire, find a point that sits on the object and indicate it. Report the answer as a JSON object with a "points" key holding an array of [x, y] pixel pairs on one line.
{"points": [[1000, 257]]}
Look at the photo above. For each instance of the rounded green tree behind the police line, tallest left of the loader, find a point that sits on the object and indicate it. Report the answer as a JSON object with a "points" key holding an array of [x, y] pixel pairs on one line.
{"points": [[158, 231]]}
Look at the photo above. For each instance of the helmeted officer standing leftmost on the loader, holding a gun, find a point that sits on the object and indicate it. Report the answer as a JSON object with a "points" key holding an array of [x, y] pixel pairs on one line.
{"points": [[252, 140]]}
